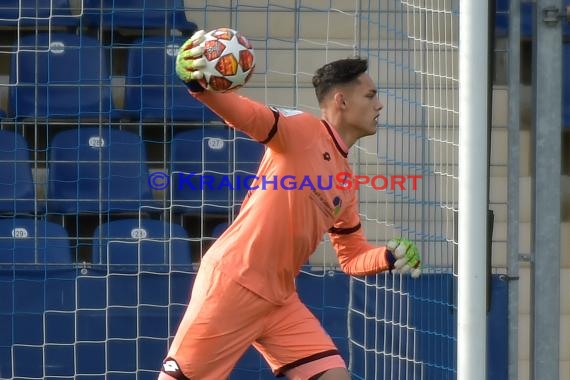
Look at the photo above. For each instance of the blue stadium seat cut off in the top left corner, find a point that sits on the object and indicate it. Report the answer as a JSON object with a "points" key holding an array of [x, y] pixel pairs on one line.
{"points": [[23, 13]]}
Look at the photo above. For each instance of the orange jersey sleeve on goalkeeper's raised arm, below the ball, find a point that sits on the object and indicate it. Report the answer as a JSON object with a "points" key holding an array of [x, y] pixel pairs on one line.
{"points": [[257, 120]]}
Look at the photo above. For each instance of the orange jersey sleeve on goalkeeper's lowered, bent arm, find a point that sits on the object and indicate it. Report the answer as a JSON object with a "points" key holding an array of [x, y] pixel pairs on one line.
{"points": [[356, 256]]}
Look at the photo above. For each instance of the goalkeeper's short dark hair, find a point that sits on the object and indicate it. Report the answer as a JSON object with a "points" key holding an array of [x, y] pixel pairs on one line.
{"points": [[336, 73]]}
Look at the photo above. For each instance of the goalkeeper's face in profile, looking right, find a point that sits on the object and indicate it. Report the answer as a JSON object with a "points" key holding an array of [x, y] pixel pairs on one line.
{"points": [[363, 106]]}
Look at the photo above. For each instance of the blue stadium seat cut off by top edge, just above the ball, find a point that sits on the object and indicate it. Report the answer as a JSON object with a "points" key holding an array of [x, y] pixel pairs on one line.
{"points": [[137, 14]]}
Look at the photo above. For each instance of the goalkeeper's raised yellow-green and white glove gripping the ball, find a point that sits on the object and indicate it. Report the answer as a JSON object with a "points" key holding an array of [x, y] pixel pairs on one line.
{"points": [[190, 61]]}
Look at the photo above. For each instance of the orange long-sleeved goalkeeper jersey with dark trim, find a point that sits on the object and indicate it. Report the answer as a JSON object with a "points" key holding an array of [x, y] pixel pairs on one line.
{"points": [[295, 200]]}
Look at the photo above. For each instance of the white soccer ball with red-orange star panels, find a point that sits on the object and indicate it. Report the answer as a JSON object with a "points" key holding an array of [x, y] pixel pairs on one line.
{"points": [[230, 60]]}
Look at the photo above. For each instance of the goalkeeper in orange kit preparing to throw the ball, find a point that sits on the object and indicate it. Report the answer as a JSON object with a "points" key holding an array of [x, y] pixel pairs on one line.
{"points": [[244, 293]]}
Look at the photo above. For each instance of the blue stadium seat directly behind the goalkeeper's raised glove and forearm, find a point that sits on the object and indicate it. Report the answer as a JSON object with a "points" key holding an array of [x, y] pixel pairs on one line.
{"points": [[153, 91]]}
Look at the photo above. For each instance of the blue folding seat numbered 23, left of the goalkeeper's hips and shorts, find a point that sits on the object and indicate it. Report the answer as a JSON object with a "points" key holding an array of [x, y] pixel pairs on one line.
{"points": [[139, 257]]}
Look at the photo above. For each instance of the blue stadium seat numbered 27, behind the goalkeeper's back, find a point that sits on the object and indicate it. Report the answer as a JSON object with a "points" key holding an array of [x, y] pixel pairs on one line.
{"points": [[209, 169]]}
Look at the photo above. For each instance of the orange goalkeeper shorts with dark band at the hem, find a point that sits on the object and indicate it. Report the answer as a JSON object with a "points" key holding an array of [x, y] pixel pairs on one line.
{"points": [[223, 319]]}
